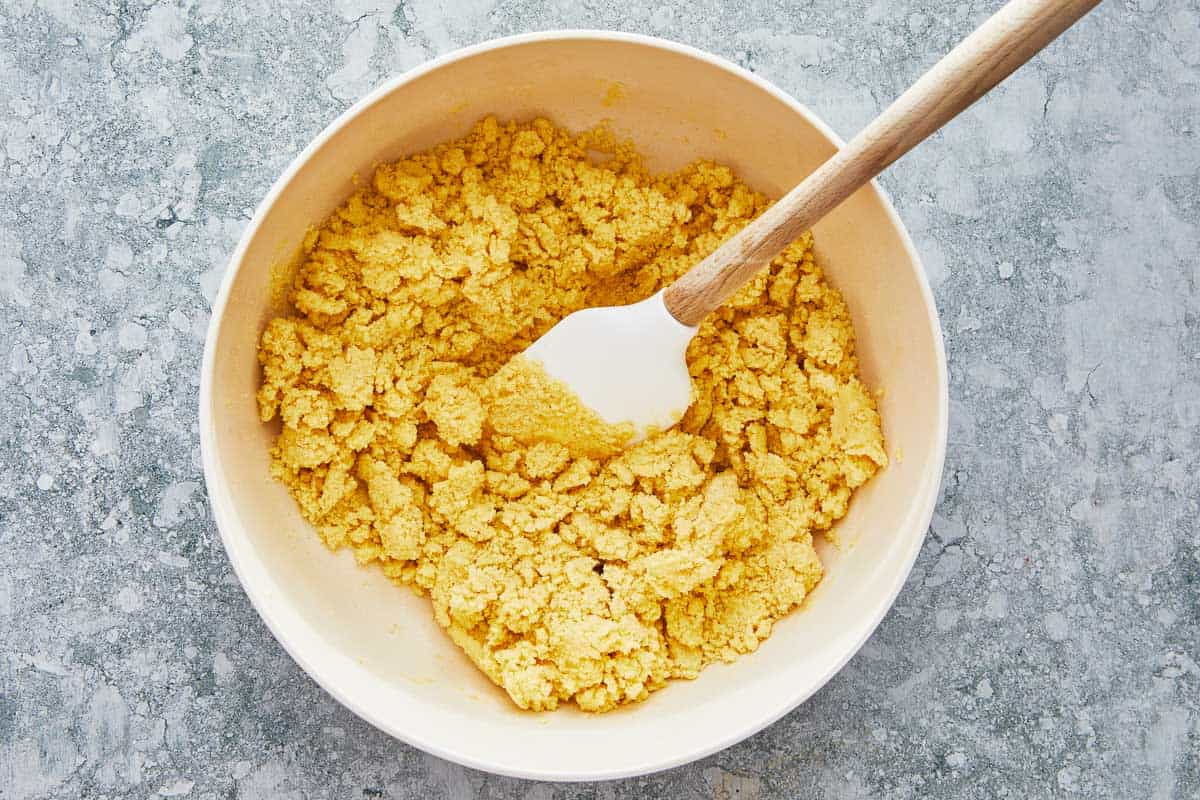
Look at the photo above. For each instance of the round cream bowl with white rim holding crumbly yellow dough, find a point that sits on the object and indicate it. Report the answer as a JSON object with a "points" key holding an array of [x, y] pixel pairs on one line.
{"points": [[375, 646]]}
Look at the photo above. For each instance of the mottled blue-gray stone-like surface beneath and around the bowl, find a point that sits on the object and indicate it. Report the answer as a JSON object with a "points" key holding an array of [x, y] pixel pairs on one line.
{"points": [[1047, 643]]}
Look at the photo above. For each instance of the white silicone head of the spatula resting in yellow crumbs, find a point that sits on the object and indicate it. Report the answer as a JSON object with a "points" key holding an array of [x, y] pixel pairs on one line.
{"points": [[626, 363]]}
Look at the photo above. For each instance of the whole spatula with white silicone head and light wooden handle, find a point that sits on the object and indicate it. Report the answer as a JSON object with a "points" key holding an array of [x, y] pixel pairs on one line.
{"points": [[627, 363]]}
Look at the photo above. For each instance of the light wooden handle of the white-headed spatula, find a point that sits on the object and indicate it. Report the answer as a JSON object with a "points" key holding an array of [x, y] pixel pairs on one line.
{"points": [[1010, 39]]}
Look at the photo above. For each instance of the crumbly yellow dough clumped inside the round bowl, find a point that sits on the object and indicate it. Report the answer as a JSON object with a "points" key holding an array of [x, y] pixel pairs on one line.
{"points": [[568, 569]]}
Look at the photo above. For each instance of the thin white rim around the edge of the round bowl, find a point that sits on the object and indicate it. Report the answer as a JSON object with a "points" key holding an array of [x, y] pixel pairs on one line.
{"points": [[225, 519]]}
